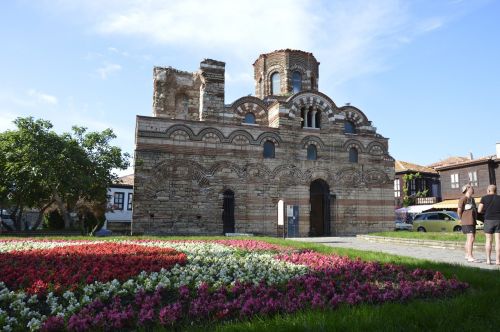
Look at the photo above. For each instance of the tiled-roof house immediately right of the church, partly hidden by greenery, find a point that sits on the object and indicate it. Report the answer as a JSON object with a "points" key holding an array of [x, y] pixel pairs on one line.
{"points": [[427, 184]]}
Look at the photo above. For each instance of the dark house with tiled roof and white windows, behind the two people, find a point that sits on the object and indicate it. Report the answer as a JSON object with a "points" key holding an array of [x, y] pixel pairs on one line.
{"points": [[457, 171]]}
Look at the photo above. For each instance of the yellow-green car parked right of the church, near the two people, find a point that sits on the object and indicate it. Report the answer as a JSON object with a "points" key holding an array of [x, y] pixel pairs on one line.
{"points": [[437, 221]]}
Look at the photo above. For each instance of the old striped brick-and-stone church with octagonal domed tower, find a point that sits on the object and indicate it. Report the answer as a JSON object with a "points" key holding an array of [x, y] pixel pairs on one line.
{"points": [[287, 161]]}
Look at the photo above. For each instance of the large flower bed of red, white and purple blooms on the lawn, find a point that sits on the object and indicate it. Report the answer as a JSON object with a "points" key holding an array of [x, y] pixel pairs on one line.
{"points": [[149, 283]]}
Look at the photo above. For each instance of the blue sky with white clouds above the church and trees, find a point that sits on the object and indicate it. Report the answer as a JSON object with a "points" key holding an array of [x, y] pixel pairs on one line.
{"points": [[426, 73]]}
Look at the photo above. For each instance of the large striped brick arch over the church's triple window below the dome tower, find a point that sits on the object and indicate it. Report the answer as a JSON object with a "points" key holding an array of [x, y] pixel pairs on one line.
{"points": [[311, 98]]}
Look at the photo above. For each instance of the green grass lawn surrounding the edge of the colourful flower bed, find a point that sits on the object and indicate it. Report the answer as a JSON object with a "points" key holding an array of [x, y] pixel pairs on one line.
{"points": [[474, 310]]}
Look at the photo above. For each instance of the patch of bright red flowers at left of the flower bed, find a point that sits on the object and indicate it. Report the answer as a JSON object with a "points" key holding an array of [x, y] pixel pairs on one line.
{"points": [[66, 267]]}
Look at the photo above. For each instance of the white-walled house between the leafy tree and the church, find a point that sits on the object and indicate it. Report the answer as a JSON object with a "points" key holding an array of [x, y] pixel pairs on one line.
{"points": [[120, 197]]}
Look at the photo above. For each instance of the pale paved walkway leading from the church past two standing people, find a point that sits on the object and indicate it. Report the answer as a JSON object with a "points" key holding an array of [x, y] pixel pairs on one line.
{"points": [[438, 254]]}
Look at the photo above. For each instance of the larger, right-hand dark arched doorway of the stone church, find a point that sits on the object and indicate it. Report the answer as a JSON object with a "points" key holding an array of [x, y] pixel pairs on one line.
{"points": [[319, 218]]}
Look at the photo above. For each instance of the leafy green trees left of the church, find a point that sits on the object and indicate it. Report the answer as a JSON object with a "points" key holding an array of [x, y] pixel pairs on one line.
{"points": [[39, 167]]}
